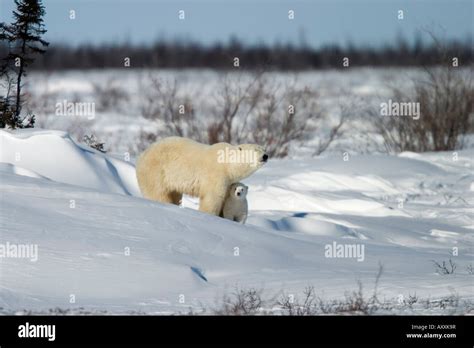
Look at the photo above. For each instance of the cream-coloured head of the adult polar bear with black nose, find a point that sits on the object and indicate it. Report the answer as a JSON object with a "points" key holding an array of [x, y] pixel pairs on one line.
{"points": [[241, 160]]}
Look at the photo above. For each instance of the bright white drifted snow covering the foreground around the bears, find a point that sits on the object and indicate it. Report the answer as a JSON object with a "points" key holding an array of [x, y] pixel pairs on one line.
{"points": [[113, 250]]}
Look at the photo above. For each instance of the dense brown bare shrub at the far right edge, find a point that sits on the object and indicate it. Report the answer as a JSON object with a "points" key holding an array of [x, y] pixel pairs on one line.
{"points": [[446, 98]]}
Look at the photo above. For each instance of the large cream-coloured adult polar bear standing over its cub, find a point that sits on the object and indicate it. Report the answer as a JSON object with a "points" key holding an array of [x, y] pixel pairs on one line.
{"points": [[175, 166]]}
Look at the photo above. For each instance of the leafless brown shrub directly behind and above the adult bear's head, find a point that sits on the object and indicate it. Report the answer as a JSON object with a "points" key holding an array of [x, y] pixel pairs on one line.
{"points": [[264, 112]]}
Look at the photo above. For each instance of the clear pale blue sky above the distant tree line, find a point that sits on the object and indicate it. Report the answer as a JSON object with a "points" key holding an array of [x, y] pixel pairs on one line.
{"points": [[317, 22]]}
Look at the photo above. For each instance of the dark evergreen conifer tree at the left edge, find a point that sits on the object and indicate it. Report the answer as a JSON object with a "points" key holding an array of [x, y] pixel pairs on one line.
{"points": [[24, 41]]}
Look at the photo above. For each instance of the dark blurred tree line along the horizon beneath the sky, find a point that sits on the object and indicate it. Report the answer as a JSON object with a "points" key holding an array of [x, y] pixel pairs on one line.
{"points": [[177, 54]]}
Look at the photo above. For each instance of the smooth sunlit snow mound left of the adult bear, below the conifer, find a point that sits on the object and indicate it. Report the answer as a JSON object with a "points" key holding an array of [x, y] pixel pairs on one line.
{"points": [[54, 155]]}
